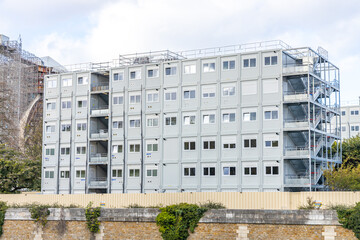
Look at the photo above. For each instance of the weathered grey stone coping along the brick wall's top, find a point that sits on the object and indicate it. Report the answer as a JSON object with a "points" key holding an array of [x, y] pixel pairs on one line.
{"points": [[236, 216]]}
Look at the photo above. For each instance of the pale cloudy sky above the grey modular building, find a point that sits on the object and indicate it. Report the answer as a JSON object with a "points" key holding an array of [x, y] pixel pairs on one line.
{"points": [[78, 31]]}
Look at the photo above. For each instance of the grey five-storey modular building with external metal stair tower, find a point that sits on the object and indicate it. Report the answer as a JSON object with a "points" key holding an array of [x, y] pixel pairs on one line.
{"points": [[252, 117]]}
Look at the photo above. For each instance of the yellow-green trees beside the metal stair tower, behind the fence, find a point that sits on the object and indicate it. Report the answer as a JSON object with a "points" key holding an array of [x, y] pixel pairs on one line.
{"points": [[347, 176]]}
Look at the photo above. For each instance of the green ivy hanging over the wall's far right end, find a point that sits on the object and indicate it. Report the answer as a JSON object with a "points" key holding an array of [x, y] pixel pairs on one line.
{"points": [[350, 218]]}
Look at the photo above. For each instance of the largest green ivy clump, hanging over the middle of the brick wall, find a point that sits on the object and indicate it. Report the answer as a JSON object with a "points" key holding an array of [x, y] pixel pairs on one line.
{"points": [[175, 221]]}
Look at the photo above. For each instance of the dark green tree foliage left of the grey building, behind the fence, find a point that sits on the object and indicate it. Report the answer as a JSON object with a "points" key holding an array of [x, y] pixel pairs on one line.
{"points": [[17, 172]]}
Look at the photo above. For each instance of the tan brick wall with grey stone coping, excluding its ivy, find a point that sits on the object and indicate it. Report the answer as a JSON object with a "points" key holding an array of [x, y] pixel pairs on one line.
{"points": [[216, 224]]}
